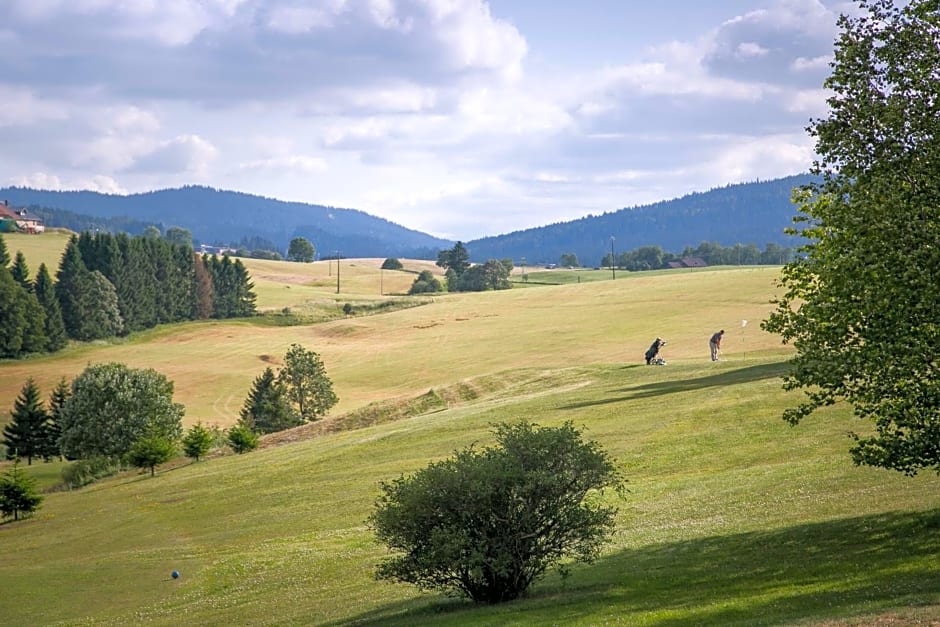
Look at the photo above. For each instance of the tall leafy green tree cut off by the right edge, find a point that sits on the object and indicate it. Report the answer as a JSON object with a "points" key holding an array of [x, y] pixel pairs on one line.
{"points": [[862, 297]]}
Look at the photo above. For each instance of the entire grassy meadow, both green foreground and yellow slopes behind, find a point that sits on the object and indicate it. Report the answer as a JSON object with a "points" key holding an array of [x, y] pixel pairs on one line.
{"points": [[733, 517]]}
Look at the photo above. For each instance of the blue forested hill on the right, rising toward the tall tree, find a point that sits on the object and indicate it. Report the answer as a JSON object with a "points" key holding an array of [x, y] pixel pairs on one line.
{"points": [[747, 213]]}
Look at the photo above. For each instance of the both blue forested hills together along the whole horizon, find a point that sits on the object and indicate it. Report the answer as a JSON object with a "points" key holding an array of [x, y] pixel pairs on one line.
{"points": [[747, 213]]}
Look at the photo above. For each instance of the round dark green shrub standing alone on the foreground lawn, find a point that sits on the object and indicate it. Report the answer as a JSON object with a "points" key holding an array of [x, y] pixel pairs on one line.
{"points": [[487, 523]]}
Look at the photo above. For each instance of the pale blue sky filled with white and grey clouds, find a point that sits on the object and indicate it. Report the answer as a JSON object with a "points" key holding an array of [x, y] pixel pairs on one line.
{"points": [[457, 118]]}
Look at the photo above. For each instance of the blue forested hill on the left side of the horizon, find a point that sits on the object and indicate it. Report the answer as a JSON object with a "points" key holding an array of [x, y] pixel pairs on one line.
{"points": [[224, 217]]}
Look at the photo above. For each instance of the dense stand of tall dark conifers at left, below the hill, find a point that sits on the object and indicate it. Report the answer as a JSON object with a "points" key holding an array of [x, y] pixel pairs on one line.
{"points": [[113, 284]]}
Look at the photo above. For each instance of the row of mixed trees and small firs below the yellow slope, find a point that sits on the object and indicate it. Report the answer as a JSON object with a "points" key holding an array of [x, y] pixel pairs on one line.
{"points": [[111, 416]]}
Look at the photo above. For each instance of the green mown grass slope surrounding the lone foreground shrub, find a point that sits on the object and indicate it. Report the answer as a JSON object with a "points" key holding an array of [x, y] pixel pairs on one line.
{"points": [[732, 518]]}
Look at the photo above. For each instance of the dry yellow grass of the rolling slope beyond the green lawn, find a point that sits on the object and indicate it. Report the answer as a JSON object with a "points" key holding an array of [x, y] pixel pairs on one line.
{"points": [[456, 336]]}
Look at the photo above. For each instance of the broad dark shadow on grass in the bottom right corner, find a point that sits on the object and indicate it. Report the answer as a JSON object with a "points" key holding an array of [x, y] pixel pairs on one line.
{"points": [[806, 573]]}
